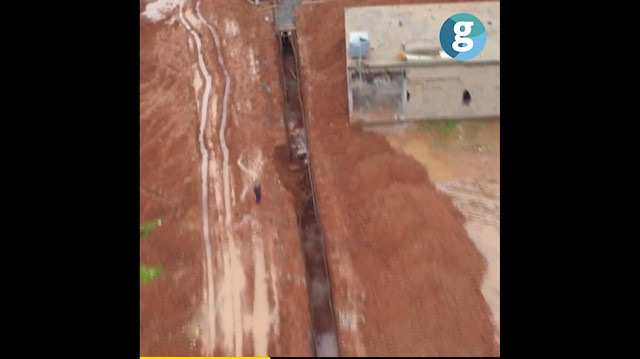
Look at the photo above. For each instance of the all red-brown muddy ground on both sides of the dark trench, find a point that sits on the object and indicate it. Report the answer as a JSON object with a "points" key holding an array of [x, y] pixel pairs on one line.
{"points": [[408, 274]]}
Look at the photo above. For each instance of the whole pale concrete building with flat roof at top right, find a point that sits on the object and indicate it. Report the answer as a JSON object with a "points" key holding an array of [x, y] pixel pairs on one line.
{"points": [[385, 87]]}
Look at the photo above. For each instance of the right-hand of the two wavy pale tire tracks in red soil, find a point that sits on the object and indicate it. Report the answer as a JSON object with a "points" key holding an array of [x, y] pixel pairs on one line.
{"points": [[233, 266]]}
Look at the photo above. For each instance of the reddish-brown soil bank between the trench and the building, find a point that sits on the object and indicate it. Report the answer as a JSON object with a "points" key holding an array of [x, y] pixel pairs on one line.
{"points": [[405, 276]]}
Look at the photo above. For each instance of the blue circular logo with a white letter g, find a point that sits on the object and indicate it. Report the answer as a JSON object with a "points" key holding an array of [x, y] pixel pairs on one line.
{"points": [[463, 36]]}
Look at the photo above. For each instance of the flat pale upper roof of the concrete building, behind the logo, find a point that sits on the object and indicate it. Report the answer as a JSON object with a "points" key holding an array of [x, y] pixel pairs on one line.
{"points": [[391, 26]]}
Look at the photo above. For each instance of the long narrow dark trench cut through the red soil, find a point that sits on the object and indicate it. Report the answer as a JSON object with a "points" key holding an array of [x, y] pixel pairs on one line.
{"points": [[296, 159]]}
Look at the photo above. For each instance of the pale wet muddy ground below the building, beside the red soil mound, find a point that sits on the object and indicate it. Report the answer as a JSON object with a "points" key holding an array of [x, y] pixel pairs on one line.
{"points": [[463, 160]]}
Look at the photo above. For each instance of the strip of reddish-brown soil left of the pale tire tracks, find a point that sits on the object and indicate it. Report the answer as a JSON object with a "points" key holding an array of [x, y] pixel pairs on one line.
{"points": [[168, 156]]}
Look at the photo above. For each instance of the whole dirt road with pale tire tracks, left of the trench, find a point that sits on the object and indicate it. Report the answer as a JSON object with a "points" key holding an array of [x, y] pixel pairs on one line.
{"points": [[233, 280]]}
